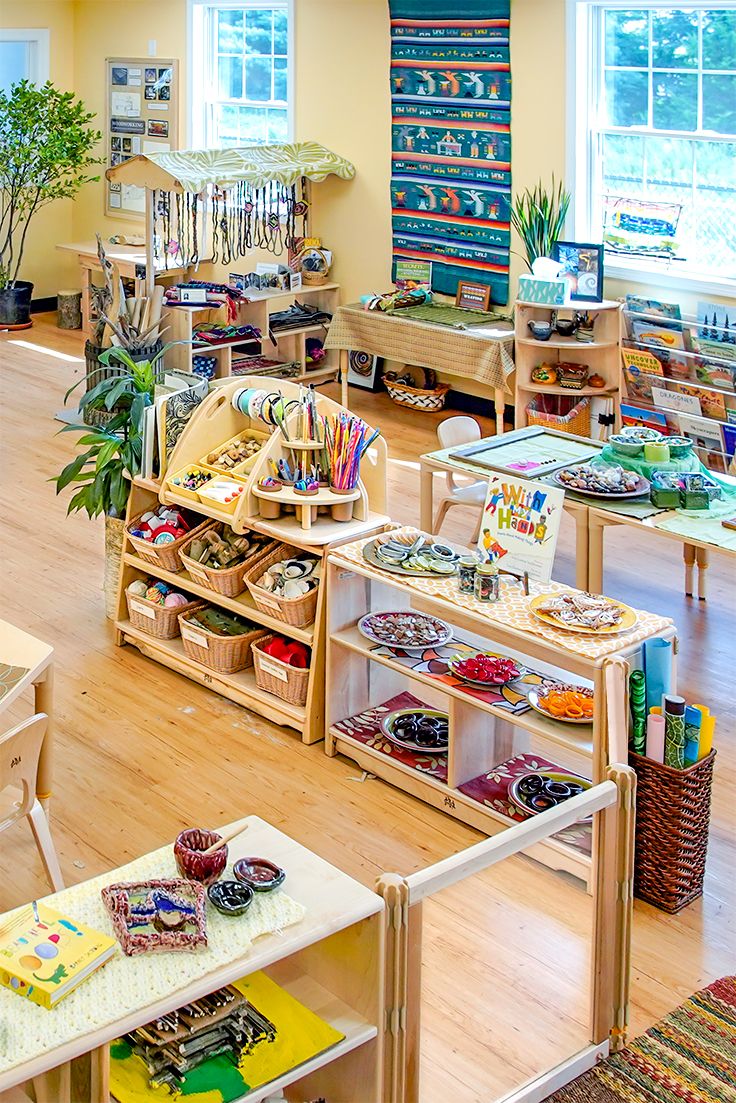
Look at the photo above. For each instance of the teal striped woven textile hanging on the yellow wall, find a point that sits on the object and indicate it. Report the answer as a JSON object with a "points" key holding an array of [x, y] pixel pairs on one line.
{"points": [[451, 188]]}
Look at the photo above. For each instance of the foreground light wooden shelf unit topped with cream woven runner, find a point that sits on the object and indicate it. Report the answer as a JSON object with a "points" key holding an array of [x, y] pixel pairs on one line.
{"points": [[333, 961]]}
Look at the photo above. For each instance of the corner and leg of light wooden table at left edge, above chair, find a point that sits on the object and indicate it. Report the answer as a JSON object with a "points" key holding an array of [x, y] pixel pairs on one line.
{"points": [[22, 650]]}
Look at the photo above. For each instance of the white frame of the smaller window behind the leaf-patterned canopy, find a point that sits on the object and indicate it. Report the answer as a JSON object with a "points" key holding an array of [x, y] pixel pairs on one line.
{"points": [[197, 48]]}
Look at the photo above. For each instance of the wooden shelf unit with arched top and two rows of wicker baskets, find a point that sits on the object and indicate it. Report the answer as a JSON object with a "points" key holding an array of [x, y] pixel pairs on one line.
{"points": [[215, 423]]}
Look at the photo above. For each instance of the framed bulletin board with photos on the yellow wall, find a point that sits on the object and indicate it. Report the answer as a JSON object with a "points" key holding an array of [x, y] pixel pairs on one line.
{"points": [[143, 117]]}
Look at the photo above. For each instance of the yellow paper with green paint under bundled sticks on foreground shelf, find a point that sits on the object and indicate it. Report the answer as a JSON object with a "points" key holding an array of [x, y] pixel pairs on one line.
{"points": [[301, 1035]]}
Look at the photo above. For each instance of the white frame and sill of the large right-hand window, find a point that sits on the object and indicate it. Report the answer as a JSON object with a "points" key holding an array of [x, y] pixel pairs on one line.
{"points": [[584, 70]]}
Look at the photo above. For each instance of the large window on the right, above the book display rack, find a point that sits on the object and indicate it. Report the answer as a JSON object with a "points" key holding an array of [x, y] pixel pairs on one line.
{"points": [[656, 135]]}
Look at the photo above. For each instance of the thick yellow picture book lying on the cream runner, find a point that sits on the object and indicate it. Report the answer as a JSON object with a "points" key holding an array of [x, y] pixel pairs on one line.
{"points": [[45, 956]]}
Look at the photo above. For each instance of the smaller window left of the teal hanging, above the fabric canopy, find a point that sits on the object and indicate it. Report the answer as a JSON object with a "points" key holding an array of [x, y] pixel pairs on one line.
{"points": [[241, 66]]}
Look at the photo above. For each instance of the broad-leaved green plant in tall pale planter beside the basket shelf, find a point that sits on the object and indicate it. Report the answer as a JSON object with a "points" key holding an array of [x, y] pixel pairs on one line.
{"points": [[112, 454]]}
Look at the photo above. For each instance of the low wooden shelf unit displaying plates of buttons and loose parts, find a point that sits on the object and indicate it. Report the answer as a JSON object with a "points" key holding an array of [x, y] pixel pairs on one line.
{"points": [[482, 735]]}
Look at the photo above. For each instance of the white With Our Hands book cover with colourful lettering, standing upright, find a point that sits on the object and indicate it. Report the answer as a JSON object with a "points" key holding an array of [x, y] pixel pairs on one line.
{"points": [[520, 526]]}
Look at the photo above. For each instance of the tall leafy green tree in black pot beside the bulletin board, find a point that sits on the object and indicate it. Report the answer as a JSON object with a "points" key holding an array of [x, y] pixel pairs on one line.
{"points": [[46, 149]]}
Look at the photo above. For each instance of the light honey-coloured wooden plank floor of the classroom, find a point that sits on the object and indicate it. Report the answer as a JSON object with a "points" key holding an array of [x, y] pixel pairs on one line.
{"points": [[142, 754]]}
